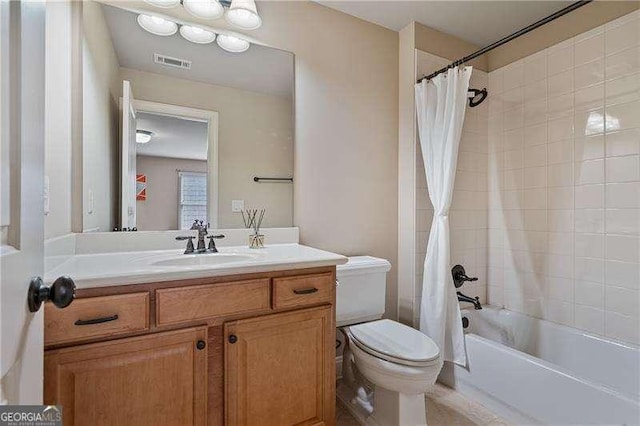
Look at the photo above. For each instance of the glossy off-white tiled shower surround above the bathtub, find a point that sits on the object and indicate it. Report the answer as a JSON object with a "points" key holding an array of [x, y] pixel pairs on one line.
{"points": [[562, 207]]}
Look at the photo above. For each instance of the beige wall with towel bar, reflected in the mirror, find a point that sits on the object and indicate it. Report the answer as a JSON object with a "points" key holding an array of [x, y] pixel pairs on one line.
{"points": [[254, 139]]}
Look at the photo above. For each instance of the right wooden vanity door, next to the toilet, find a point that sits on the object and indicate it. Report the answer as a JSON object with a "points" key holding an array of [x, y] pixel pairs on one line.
{"points": [[280, 369]]}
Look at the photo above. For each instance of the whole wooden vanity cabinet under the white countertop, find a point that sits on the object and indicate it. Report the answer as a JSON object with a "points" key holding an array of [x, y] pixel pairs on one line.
{"points": [[251, 349]]}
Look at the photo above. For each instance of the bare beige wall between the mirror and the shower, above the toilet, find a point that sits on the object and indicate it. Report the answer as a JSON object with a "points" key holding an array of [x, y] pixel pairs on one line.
{"points": [[346, 167]]}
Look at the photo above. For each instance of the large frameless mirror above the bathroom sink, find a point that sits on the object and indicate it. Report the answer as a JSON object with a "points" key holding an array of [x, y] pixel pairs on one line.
{"points": [[175, 131]]}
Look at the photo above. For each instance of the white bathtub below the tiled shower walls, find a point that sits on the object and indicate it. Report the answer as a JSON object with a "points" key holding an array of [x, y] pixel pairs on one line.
{"points": [[532, 371]]}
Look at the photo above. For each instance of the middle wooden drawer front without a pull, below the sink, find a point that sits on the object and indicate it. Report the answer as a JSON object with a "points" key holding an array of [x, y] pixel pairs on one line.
{"points": [[175, 305]]}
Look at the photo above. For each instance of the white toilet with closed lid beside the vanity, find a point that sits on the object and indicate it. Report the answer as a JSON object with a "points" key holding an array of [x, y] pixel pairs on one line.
{"points": [[400, 361]]}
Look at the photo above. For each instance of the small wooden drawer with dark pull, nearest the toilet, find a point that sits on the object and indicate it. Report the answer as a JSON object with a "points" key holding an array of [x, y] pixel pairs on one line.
{"points": [[303, 290]]}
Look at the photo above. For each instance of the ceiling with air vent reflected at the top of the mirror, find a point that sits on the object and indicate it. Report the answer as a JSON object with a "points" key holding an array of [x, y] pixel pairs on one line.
{"points": [[259, 69]]}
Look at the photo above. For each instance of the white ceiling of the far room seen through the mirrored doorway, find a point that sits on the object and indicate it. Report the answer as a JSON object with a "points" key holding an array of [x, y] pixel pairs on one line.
{"points": [[173, 137]]}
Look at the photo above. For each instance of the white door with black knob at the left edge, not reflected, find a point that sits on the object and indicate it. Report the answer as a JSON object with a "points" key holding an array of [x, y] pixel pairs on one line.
{"points": [[22, 57]]}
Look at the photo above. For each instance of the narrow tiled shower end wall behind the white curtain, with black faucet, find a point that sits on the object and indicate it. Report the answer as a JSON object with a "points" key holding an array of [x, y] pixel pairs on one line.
{"points": [[468, 216]]}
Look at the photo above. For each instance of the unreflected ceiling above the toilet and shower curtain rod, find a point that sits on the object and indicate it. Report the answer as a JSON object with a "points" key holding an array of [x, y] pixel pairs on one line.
{"points": [[479, 22]]}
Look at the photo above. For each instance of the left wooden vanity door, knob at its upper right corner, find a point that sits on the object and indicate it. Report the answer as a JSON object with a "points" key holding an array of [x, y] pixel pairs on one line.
{"points": [[159, 379]]}
